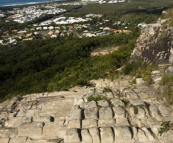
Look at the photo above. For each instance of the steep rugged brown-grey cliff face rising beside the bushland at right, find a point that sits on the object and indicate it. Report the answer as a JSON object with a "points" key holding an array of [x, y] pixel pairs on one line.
{"points": [[154, 45]]}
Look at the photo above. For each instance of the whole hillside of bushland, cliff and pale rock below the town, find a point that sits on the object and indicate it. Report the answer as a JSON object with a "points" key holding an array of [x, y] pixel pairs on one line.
{"points": [[111, 89]]}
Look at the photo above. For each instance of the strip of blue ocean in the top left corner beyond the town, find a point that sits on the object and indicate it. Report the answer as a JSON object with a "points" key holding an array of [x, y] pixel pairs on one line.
{"points": [[21, 2]]}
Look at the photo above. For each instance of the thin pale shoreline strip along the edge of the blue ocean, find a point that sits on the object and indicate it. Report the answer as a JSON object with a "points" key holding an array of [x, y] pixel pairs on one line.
{"points": [[34, 3]]}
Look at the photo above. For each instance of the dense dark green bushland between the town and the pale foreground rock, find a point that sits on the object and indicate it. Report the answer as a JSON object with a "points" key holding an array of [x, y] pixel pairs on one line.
{"points": [[57, 64]]}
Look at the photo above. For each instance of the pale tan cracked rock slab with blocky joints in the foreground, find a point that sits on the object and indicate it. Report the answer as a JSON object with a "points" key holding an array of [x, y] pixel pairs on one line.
{"points": [[132, 114]]}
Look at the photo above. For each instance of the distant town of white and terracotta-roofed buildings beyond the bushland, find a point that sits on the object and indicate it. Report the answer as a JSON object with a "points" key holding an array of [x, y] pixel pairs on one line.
{"points": [[61, 26]]}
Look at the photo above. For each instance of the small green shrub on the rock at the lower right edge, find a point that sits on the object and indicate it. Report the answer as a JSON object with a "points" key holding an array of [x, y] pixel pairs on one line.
{"points": [[165, 126]]}
